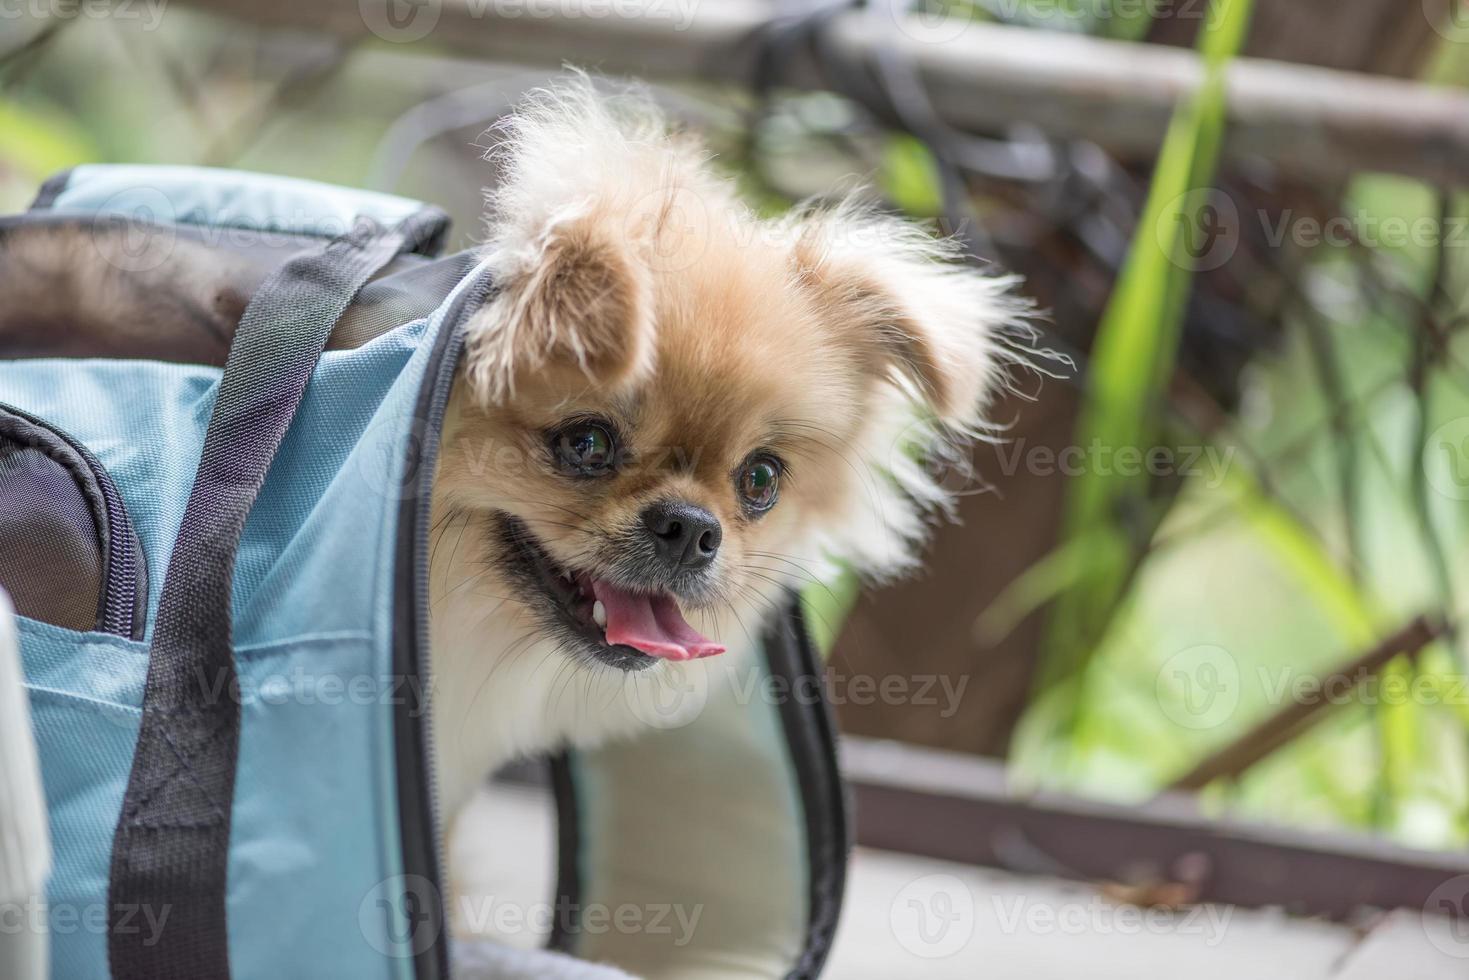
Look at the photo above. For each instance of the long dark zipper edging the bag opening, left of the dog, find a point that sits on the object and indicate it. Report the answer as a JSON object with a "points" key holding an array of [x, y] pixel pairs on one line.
{"points": [[419, 799]]}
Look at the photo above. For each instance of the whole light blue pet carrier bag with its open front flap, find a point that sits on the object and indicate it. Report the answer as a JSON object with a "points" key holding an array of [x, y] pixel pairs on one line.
{"points": [[215, 536]]}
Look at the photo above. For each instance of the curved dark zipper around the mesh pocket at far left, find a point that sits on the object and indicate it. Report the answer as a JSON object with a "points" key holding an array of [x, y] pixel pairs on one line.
{"points": [[121, 608]]}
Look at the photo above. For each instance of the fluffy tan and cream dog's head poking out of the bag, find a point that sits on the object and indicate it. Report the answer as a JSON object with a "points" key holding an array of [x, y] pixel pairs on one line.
{"points": [[674, 409]]}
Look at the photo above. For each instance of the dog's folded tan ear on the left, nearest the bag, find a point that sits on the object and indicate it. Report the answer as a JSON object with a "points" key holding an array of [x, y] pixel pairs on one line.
{"points": [[574, 308]]}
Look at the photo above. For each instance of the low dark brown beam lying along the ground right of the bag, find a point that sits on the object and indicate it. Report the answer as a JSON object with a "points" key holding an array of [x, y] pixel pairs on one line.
{"points": [[961, 809]]}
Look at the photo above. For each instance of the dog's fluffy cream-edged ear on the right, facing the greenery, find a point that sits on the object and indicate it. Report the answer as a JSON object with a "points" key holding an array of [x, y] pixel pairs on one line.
{"points": [[917, 317]]}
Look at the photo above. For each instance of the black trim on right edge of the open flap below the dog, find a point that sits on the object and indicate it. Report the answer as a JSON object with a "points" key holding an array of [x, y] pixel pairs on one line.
{"points": [[812, 737]]}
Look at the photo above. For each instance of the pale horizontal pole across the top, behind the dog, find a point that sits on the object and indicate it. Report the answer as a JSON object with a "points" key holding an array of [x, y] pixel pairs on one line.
{"points": [[985, 79]]}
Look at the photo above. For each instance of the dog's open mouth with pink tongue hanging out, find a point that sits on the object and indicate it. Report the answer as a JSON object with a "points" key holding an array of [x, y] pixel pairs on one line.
{"points": [[619, 627]]}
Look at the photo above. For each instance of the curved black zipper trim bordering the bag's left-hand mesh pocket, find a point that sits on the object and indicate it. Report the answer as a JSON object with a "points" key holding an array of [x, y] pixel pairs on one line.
{"points": [[124, 597]]}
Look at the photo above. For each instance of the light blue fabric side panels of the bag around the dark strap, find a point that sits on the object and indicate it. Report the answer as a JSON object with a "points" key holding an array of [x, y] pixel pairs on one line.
{"points": [[314, 605]]}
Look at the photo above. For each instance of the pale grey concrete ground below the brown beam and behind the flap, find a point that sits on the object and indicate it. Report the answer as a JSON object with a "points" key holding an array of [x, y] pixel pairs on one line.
{"points": [[917, 919]]}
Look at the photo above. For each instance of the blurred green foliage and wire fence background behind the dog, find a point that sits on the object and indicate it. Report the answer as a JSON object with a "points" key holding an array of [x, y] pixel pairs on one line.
{"points": [[1221, 549]]}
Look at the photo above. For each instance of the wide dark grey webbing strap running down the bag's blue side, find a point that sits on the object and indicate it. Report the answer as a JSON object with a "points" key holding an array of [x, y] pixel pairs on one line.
{"points": [[171, 850]]}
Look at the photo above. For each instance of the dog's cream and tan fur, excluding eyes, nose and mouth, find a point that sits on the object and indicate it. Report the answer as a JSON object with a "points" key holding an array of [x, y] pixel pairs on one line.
{"points": [[853, 339]]}
